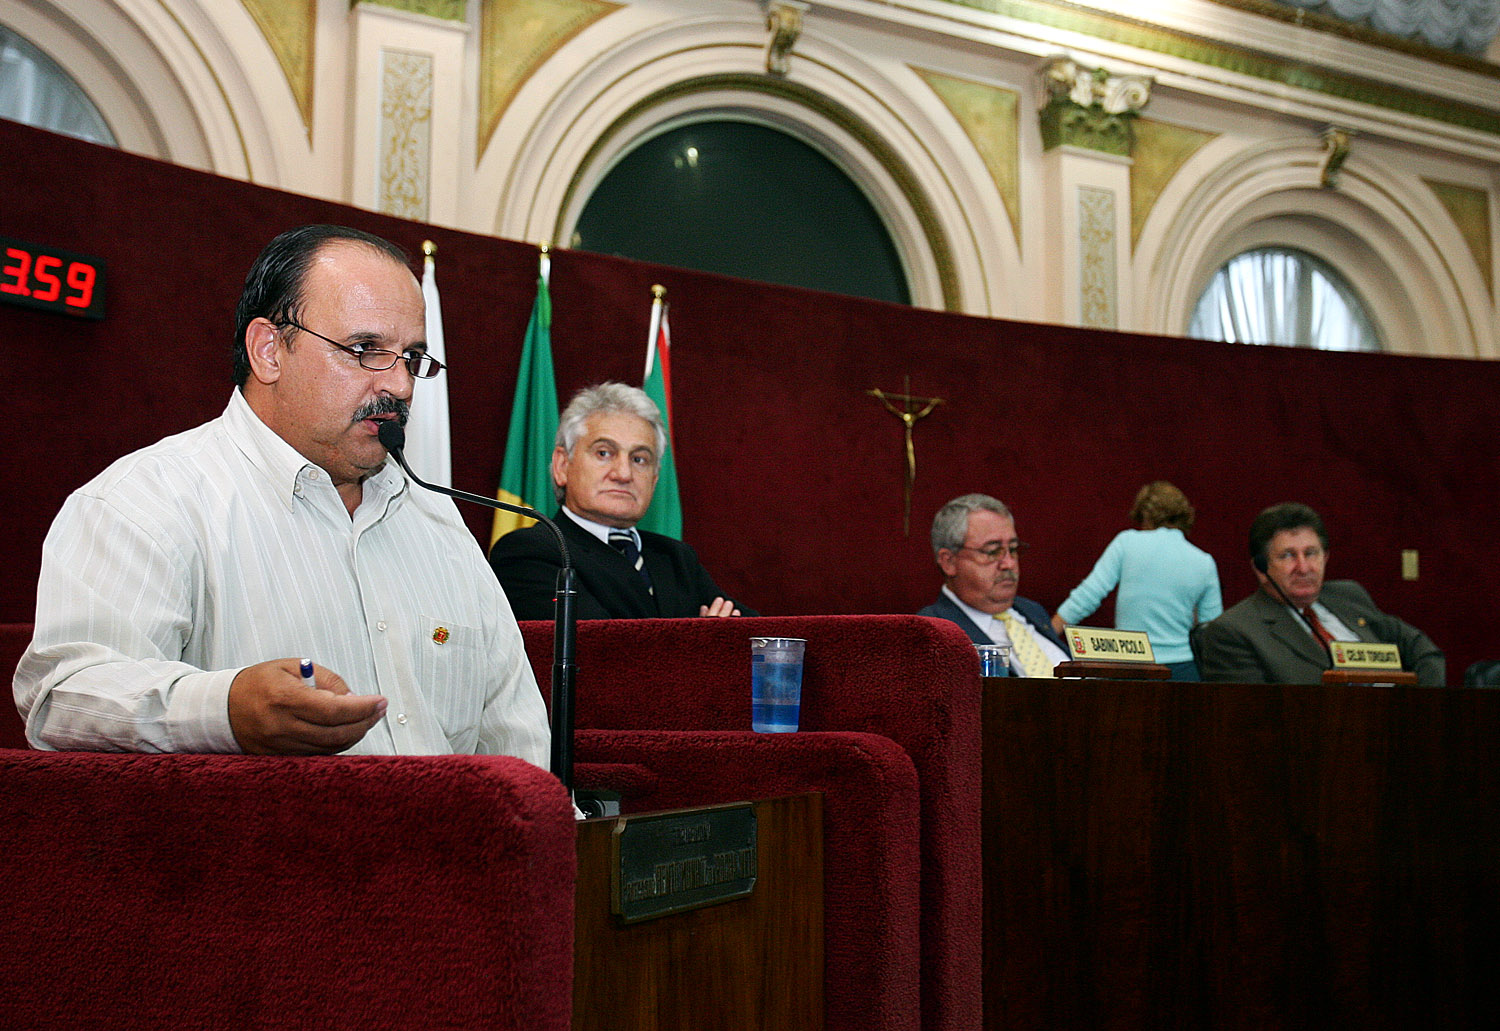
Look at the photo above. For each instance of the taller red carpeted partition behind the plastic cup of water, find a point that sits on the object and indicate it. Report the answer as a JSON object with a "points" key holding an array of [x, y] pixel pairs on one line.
{"points": [[905, 678]]}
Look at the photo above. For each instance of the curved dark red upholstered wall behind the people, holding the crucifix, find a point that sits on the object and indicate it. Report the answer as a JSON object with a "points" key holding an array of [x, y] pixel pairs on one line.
{"points": [[793, 476]]}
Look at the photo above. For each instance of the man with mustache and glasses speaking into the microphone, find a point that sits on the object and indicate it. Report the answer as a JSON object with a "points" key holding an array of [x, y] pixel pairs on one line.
{"points": [[268, 582]]}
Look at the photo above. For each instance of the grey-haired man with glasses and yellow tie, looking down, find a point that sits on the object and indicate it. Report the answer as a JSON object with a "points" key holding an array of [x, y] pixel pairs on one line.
{"points": [[976, 546]]}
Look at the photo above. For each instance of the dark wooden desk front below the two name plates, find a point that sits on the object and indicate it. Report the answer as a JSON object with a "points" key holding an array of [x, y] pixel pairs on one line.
{"points": [[1219, 856]]}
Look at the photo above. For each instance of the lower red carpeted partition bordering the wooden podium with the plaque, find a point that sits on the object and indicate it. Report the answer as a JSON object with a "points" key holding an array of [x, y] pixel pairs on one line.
{"points": [[871, 843]]}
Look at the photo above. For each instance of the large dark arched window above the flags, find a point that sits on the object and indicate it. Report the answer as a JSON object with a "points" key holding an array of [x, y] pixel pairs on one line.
{"points": [[743, 200]]}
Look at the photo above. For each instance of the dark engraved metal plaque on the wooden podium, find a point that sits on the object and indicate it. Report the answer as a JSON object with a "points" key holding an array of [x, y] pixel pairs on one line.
{"points": [[682, 861]]}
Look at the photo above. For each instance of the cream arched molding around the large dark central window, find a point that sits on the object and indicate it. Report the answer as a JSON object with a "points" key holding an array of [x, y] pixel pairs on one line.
{"points": [[649, 70]]}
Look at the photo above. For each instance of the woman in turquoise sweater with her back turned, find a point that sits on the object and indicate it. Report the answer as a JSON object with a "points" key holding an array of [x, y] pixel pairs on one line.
{"points": [[1165, 583]]}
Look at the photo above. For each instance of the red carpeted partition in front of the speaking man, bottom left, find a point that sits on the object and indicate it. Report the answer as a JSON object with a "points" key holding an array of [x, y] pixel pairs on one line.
{"points": [[242, 892]]}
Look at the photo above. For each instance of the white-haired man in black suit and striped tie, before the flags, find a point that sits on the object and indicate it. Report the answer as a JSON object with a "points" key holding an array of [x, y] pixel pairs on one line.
{"points": [[605, 469]]}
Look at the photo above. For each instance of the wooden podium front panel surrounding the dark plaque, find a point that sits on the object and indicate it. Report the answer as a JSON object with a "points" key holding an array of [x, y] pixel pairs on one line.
{"points": [[746, 964]]}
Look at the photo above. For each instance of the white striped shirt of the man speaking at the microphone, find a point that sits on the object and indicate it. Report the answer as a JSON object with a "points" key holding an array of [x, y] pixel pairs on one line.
{"points": [[223, 547]]}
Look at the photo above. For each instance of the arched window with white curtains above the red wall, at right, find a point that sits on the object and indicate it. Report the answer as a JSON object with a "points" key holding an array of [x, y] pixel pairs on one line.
{"points": [[1283, 296]]}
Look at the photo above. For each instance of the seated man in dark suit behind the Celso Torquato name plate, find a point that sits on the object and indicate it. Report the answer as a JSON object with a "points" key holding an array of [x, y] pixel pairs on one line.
{"points": [[1280, 634]]}
